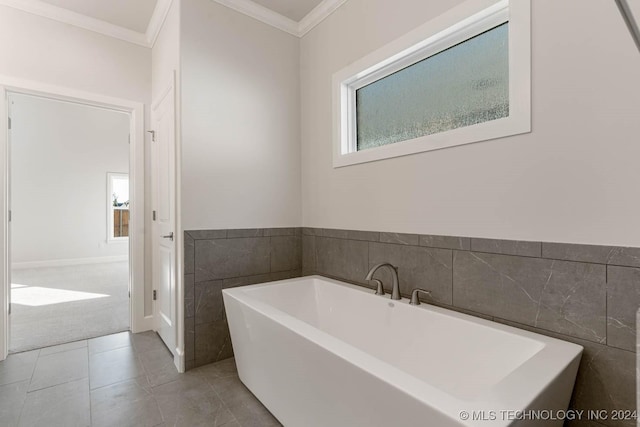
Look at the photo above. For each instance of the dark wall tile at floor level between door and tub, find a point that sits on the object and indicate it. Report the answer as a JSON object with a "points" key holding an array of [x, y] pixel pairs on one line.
{"points": [[213, 342]]}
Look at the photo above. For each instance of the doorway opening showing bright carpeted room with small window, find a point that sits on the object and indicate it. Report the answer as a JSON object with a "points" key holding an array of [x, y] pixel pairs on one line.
{"points": [[69, 198]]}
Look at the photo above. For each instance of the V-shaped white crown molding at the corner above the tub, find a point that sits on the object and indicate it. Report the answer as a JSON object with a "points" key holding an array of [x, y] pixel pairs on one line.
{"points": [[268, 16]]}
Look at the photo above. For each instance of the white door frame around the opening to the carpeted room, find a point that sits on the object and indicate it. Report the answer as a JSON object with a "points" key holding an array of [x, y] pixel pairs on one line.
{"points": [[137, 320]]}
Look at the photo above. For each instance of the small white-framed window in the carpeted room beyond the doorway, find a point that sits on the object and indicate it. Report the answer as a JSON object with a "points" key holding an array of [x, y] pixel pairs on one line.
{"points": [[117, 206]]}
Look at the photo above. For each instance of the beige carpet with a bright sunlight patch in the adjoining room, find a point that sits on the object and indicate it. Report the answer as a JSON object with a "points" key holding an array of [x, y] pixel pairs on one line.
{"points": [[55, 305]]}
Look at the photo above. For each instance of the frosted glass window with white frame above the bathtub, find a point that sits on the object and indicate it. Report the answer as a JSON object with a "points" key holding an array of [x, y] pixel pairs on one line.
{"points": [[463, 77]]}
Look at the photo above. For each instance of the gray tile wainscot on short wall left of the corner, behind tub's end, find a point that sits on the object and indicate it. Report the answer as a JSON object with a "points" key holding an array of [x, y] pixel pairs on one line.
{"points": [[219, 259]]}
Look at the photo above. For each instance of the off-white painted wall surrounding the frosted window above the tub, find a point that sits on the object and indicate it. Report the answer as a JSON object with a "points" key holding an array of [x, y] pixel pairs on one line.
{"points": [[573, 179]]}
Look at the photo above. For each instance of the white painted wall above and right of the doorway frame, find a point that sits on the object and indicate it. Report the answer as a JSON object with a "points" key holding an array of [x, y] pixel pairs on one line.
{"points": [[47, 51]]}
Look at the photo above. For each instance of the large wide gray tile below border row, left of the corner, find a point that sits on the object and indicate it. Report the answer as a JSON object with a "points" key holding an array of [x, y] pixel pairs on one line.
{"points": [[223, 258]]}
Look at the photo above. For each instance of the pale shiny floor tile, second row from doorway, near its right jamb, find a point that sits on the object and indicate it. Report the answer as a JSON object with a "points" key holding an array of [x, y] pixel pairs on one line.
{"points": [[113, 366]]}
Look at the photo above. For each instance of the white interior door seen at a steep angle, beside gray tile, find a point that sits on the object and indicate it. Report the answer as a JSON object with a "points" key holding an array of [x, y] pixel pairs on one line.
{"points": [[163, 179]]}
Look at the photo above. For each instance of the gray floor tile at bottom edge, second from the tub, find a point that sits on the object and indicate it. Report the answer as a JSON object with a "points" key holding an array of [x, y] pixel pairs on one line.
{"points": [[191, 401]]}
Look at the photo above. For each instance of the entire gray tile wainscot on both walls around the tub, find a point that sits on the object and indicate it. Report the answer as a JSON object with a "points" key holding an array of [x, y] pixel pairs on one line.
{"points": [[579, 293]]}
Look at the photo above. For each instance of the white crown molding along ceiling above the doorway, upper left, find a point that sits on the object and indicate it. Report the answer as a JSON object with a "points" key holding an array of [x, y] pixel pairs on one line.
{"points": [[46, 10]]}
